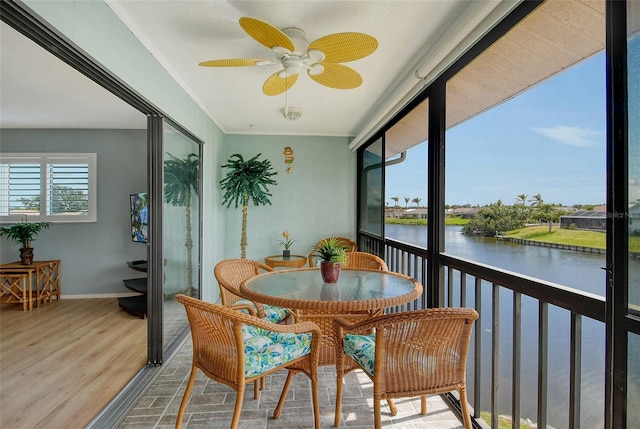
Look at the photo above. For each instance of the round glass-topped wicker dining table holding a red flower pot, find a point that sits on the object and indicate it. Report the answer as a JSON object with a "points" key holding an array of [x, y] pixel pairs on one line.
{"points": [[357, 294]]}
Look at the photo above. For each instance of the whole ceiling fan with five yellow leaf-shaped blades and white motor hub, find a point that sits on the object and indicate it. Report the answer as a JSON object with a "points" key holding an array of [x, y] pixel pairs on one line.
{"points": [[321, 59]]}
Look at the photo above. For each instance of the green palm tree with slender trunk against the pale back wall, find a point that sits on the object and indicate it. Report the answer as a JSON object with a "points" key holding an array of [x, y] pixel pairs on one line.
{"points": [[247, 181]]}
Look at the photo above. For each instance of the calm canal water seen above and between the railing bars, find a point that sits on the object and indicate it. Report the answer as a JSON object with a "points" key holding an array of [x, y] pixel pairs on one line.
{"points": [[579, 270]]}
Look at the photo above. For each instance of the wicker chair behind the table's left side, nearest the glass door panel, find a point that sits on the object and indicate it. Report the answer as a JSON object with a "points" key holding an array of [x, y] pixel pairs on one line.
{"points": [[230, 273]]}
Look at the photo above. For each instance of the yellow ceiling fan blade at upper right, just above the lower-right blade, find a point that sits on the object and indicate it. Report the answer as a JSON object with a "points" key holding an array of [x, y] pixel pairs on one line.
{"points": [[344, 47]]}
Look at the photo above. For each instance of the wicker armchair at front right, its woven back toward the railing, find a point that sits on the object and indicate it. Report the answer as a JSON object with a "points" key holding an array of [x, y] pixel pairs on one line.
{"points": [[412, 353]]}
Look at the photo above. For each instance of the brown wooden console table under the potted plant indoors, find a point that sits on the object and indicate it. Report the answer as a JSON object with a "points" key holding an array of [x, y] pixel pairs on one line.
{"points": [[40, 282]]}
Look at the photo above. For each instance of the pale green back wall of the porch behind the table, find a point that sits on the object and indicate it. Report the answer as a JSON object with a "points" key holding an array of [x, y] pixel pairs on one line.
{"points": [[315, 200]]}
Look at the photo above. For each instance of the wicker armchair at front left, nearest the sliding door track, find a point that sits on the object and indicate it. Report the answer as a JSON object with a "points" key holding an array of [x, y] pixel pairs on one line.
{"points": [[234, 348]]}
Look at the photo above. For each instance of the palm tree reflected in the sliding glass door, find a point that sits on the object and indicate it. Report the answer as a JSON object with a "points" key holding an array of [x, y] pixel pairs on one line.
{"points": [[180, 183]]}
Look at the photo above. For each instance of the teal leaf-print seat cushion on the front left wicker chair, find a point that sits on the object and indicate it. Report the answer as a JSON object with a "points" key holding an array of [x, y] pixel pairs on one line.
{"points": [[265, 350]]}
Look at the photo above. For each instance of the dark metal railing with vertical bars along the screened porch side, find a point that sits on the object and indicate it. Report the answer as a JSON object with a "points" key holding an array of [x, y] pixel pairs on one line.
{"points": [[498, 296]]}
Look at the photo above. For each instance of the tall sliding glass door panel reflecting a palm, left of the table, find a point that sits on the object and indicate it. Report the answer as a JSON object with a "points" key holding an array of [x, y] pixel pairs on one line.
{"points": [[175, 230]]}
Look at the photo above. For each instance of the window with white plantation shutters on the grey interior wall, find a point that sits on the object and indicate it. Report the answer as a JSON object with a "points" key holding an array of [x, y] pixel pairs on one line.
{"points": [[54, 187]]}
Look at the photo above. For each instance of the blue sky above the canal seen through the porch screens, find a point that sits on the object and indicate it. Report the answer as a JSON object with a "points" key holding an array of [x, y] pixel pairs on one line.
{"points": [[550, 140]]}
